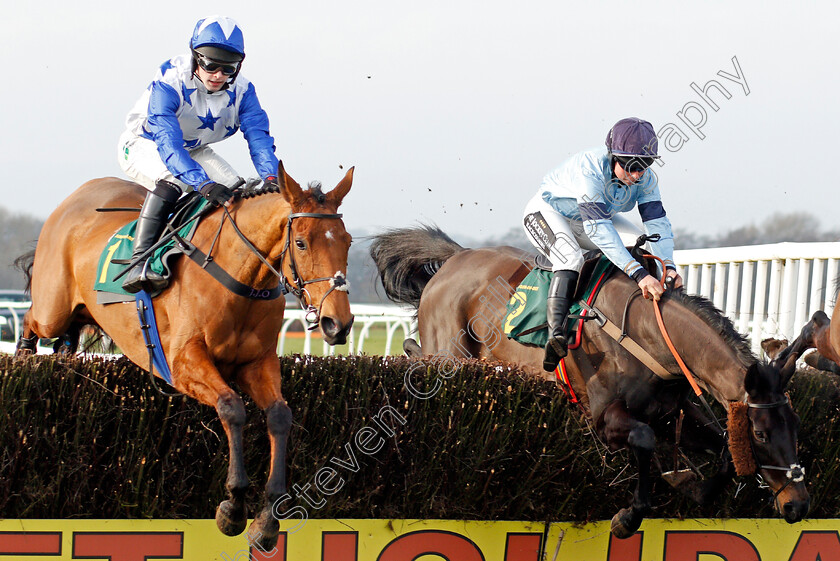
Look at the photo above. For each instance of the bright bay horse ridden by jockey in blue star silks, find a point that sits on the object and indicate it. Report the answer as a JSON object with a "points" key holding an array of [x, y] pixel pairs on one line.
{"points": [[210, 336]]}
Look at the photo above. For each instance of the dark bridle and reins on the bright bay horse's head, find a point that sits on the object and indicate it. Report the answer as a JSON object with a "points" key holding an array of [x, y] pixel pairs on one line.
{"points": [[298, 285]]}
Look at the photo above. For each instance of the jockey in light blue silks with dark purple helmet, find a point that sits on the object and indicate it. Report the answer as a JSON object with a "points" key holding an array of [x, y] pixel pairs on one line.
{"points": [[576, 208]]}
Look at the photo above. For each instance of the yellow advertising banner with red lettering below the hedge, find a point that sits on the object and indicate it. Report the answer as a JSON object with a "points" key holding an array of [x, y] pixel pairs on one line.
{"points": [[423, 540]]}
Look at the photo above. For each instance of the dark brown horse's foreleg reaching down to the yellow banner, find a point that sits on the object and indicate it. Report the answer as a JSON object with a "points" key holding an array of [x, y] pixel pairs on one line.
{"points": [[622, 430]]}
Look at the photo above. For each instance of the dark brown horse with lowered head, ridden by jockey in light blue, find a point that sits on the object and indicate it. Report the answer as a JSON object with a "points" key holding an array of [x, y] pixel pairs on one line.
{"points": [[460, 296]]}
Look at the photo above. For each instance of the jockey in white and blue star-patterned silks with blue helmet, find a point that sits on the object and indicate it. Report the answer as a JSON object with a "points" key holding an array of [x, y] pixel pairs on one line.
{"points": [[194, 100]]}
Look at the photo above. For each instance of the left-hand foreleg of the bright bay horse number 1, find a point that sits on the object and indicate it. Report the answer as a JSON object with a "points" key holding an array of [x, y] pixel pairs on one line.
{"points": [[195, 375]]}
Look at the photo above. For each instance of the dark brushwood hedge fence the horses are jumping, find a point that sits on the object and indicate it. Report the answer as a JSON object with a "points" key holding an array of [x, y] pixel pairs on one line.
{"points": [[91, 438]]}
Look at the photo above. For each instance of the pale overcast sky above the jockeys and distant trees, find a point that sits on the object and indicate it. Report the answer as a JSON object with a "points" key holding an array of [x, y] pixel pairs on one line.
{"points": [[451, 111]]}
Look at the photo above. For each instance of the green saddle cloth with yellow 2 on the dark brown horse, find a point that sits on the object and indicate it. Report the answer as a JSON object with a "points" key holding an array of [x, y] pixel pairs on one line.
{"points": [[526, 320]]}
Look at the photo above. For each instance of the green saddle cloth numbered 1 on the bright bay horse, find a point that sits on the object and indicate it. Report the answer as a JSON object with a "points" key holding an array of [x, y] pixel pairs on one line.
{"points": [[121, 245]]}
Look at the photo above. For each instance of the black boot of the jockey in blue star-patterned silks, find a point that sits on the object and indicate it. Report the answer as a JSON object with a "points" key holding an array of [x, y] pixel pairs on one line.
{"points": [[150, 224]]}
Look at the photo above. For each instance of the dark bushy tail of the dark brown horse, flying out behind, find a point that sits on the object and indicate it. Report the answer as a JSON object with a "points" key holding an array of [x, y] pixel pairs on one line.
{"points": [[407, 258]]}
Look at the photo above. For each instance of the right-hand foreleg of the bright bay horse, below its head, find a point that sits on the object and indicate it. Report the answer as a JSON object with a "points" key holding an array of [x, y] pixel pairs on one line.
{"points": [[261, 381]]}
